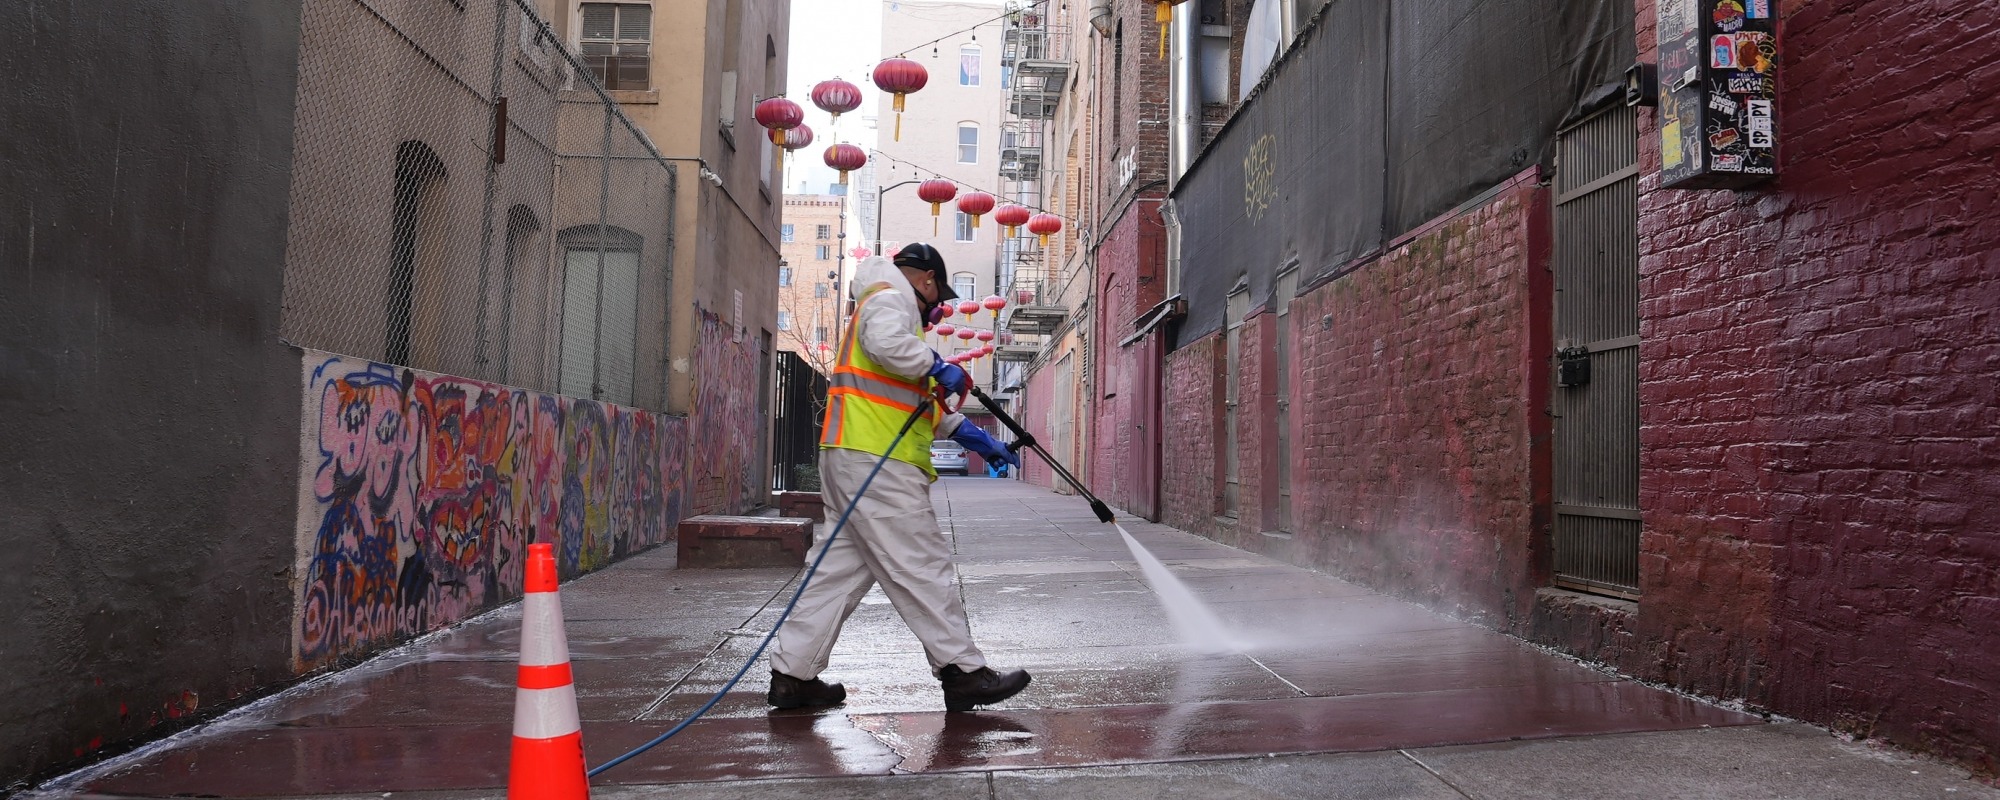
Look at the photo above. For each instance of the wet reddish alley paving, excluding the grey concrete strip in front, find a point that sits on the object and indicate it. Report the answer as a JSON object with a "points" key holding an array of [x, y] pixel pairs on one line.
{"points": [[1333, 669]]}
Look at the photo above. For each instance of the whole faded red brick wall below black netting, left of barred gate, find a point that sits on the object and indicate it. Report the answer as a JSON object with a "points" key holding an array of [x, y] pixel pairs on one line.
{"points": [[1415, 453]]}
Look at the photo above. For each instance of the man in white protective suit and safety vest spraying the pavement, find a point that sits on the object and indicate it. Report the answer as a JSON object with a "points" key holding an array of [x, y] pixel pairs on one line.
{"points": [[893, 539]]}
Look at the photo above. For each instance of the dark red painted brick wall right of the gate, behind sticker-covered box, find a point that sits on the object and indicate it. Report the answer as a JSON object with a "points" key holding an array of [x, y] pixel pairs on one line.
{"points": [[1819, 393]]}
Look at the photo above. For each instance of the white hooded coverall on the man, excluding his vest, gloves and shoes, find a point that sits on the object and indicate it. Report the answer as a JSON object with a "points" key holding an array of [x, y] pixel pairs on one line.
{"points": [[893, 535]]}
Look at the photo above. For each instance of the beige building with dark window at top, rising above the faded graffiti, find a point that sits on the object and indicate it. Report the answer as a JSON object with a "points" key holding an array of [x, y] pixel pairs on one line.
{"points": [[689, 75]]}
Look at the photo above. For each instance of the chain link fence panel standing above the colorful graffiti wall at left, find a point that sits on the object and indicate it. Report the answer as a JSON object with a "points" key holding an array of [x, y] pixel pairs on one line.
{"points": [[469, 199]]}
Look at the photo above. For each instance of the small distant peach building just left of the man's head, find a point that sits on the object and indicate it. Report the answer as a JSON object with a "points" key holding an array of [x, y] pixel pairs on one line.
{"points": [[809, 277]]}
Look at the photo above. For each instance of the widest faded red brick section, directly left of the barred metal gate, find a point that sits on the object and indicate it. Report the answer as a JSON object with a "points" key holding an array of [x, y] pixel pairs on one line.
{"points": [[1415, 431]]}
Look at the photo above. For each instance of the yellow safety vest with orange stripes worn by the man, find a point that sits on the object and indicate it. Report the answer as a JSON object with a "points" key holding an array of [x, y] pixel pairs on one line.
{"points": [[867, 405]]}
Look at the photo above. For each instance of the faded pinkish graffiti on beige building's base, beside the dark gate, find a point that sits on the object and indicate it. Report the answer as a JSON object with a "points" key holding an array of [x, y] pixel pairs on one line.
{"points": [[731, 465]]}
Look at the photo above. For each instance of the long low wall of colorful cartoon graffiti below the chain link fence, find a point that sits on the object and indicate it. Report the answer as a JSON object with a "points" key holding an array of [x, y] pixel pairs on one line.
{"points": [[425, 493]]}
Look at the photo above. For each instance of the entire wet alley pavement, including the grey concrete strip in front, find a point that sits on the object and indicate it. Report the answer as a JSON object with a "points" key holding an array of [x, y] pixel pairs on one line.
{"points": [[1345, 693]]}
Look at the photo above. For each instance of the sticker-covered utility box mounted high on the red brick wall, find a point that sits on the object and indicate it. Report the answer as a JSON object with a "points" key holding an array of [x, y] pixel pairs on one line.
{"points": [[1719, 93]]}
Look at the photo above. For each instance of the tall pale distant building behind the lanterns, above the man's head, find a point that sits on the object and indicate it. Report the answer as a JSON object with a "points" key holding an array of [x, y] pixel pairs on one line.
{"points": [[949, 131]]}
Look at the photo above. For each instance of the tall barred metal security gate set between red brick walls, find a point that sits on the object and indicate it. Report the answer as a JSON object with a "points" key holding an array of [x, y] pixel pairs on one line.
{"points": [[1597, 355]]}
